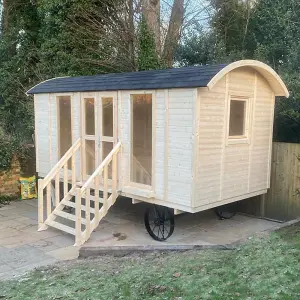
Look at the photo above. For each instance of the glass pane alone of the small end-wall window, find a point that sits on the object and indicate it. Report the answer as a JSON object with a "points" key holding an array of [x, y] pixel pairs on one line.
{"points": [[237, 118]]}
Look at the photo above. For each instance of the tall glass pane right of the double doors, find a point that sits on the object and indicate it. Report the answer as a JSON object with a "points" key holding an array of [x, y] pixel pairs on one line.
{"points": [[141, 164]]}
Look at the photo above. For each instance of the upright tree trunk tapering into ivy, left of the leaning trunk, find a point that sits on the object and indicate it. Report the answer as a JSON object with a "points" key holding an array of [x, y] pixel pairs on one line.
{"points": [[151, 12]]}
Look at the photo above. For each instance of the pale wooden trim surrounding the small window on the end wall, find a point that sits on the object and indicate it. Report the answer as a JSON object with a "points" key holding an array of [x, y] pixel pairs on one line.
{"points": [[239, 139]]}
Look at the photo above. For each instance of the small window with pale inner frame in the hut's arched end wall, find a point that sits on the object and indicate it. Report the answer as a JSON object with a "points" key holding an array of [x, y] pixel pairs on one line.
{"points": [[238, 118]]}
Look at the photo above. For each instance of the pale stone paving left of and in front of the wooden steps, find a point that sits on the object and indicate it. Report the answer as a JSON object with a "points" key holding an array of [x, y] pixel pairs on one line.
{"points": [[22, 248]]}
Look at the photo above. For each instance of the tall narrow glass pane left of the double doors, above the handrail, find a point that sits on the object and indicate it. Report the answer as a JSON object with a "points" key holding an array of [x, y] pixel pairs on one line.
{"points": [[65, 125]]}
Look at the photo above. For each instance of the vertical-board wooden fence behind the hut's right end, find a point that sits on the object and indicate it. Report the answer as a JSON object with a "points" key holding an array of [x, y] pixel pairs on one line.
{"points": [[282, 202]]}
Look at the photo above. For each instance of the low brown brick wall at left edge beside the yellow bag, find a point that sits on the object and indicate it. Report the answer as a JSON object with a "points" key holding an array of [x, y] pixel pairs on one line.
{"points": [[9, 180]]}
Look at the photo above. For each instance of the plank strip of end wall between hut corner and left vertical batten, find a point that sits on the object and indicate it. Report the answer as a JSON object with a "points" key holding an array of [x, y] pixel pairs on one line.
{"points": [[210, 147]]}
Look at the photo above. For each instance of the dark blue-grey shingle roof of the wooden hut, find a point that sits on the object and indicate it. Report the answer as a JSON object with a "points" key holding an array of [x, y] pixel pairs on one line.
{"points": [[186, 77]]}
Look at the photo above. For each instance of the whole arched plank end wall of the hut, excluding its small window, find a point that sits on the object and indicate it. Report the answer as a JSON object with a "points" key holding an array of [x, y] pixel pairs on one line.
{"points": [[226, 170]]}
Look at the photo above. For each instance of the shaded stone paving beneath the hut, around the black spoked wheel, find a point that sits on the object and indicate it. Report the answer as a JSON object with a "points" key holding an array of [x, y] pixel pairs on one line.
{"points": [[124, 226]]}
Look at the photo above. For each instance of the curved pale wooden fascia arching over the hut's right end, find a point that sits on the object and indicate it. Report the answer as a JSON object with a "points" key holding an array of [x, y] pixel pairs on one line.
{"points": [[266, 71]]}
